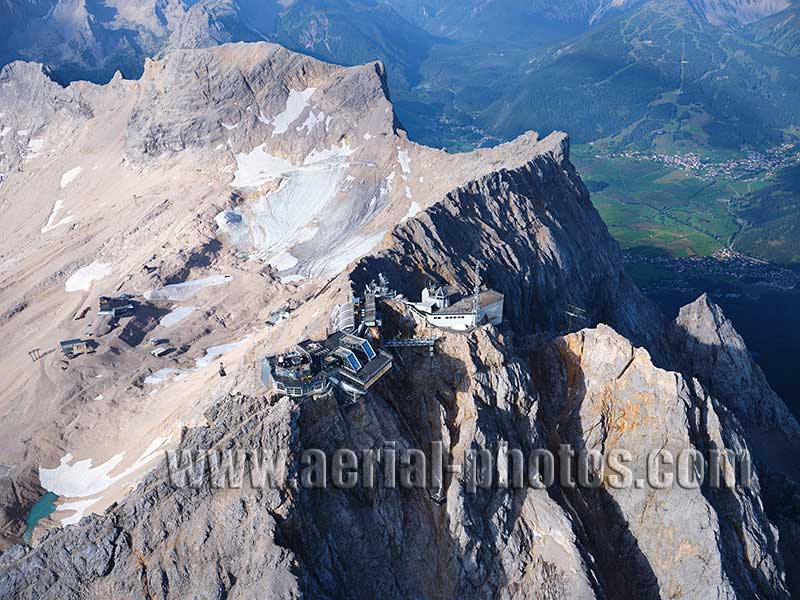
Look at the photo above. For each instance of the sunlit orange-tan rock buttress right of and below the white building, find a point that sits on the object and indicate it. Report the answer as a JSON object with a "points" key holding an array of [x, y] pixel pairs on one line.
{"points": [[680, 541]]}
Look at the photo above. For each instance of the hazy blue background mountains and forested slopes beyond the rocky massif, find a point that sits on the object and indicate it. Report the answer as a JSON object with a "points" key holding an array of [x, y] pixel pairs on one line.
{"points": [[425, 45]]}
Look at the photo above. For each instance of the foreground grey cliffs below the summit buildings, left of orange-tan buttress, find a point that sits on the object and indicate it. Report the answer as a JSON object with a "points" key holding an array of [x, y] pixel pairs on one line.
{"points": [[318, 543]]}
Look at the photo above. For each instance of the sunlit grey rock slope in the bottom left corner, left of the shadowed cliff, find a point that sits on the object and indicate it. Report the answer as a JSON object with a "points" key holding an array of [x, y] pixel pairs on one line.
{"points": [[170, 543]]}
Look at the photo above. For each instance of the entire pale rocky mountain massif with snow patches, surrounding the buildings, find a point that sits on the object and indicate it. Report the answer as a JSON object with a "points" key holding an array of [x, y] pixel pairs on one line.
{"points": [[199, 150]]}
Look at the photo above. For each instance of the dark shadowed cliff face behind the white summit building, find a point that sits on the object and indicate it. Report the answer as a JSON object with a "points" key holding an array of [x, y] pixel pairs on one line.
{"points": [[539, 240]]}
